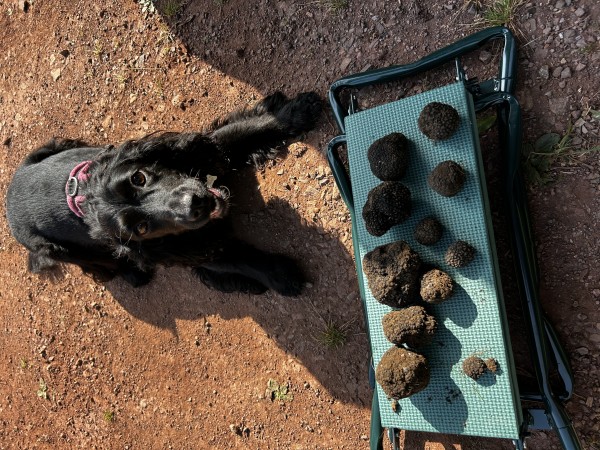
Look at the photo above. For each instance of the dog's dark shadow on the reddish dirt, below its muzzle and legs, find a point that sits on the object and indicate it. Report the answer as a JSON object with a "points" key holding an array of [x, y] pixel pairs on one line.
{"points": [[295, 324]]}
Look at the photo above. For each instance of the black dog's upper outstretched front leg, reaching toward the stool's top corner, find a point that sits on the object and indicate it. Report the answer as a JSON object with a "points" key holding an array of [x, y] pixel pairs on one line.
{"points": [[253, 135]]}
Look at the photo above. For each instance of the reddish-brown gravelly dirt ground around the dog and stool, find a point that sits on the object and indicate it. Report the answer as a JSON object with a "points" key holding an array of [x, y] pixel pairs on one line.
{"points": [[175, 365]]}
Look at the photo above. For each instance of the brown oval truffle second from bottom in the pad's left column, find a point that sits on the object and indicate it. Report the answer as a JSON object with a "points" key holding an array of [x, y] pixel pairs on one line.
{"points": [[411, 326]]}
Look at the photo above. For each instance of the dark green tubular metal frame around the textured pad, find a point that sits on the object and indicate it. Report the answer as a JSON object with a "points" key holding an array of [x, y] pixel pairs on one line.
{"points": [[546, 352]]}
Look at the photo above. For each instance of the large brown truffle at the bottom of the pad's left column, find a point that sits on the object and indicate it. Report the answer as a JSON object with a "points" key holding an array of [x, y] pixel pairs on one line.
{"points": [[402, 373]]}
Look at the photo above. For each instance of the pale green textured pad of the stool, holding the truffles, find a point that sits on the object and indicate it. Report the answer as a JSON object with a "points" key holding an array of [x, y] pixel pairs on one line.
{"points": [[473, 321]]}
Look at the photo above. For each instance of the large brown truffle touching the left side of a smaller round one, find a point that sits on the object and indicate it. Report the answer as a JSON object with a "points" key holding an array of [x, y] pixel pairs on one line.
{"points": [[392, 272]]}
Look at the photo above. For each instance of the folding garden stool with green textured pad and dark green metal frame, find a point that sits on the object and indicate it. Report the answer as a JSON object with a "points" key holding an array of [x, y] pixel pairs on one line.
{"points": [[474, 320]]}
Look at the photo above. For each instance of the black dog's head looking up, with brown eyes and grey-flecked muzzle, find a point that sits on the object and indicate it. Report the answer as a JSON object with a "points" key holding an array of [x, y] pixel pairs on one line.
{"points": [[136, 196]]}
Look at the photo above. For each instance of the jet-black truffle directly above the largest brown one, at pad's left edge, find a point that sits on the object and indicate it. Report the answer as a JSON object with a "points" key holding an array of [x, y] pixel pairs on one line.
{"points": [[387, 204]]}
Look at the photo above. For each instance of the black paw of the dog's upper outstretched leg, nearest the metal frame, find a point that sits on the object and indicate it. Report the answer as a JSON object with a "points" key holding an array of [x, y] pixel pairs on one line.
{"points": [[301, 113]]}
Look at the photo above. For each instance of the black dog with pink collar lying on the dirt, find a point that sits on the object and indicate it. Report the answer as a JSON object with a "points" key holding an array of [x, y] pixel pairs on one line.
{"points": [[122, 211]]}
